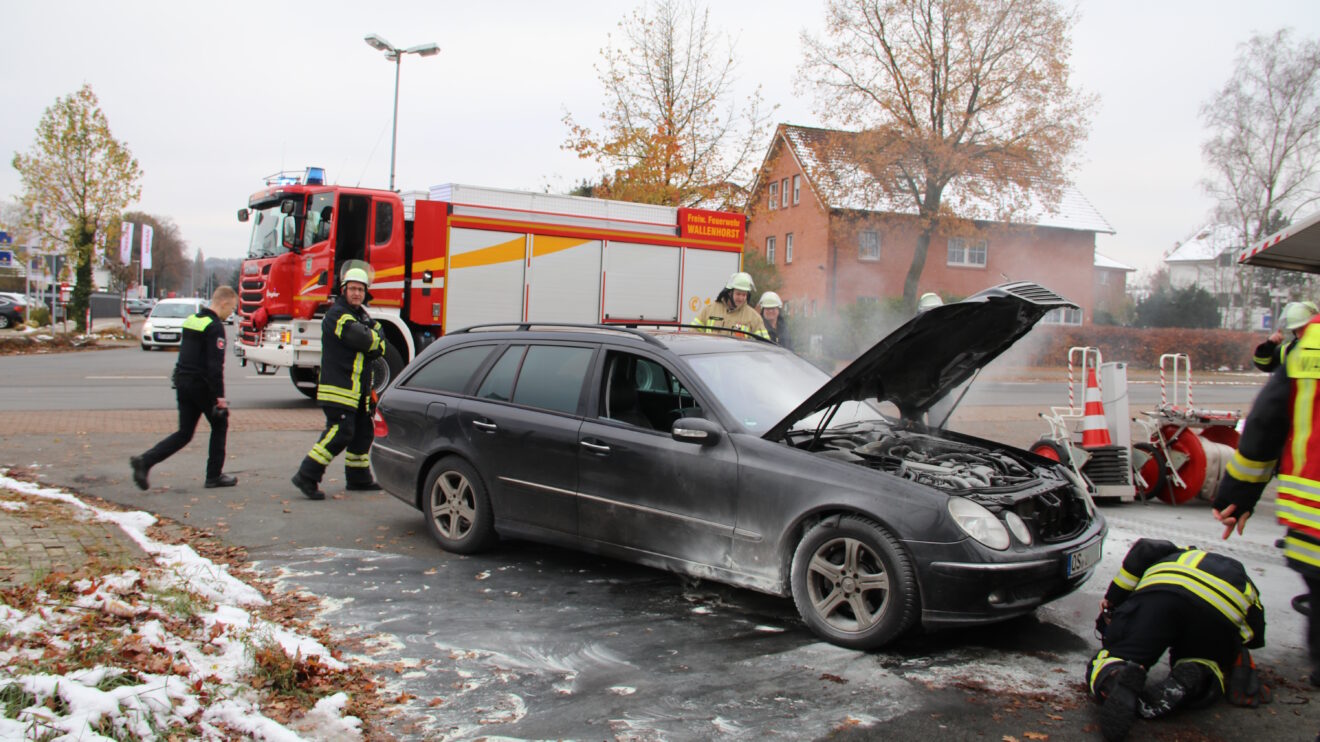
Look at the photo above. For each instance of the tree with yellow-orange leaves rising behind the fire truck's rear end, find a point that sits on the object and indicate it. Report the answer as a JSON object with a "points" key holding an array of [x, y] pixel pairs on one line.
{"points": [[674, 131]]}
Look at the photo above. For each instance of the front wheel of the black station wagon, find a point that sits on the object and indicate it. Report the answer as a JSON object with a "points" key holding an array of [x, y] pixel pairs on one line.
{"points": [[853, 584]]}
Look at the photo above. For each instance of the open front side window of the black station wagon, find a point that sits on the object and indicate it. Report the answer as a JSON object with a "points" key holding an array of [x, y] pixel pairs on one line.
{"points": [[642, 393]]}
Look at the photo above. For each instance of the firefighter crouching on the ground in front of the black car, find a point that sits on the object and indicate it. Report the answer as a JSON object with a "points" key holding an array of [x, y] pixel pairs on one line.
{"points": [[1201, 607]]}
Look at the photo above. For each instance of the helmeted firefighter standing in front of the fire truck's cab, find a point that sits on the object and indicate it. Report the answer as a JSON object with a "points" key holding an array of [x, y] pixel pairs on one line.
{"points": [[350, 341]]}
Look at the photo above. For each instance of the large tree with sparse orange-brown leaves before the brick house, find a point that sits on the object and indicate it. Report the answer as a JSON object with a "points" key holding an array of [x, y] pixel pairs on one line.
{"points": [[966, 105]]}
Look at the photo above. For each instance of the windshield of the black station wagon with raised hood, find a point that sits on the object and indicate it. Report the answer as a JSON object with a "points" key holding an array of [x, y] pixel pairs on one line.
{"points": [[761, 388]]}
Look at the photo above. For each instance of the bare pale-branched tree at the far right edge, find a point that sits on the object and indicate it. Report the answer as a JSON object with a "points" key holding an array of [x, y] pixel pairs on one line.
{"points": [[1265, 145]]}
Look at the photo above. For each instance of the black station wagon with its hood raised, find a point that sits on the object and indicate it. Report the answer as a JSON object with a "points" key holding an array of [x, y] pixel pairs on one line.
{"points": [[737, 461]]}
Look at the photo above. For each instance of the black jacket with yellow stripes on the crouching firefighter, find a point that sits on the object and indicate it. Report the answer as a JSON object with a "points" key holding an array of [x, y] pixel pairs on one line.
{"points": [[1220, 583]]}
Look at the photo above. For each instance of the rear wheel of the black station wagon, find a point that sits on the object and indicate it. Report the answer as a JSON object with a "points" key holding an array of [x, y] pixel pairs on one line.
{"points": [[459, 512]]}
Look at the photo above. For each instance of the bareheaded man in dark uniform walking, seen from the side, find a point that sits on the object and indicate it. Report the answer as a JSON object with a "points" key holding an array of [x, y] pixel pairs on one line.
{"points": [[200, 389]]}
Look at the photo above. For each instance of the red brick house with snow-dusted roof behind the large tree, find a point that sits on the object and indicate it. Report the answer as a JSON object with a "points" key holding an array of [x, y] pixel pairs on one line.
{"points": [[834, 250]]}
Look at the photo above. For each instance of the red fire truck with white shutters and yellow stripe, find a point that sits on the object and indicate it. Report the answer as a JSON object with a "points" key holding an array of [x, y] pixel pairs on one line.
{"points": [[463, 255]]}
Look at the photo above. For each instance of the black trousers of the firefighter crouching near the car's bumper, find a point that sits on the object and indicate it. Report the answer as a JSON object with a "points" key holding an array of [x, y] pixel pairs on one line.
{"points": [[1152, 623]]}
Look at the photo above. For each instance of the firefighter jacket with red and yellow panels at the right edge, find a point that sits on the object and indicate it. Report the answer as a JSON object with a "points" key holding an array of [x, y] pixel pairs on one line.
{"points": [[1281, 434]]}
